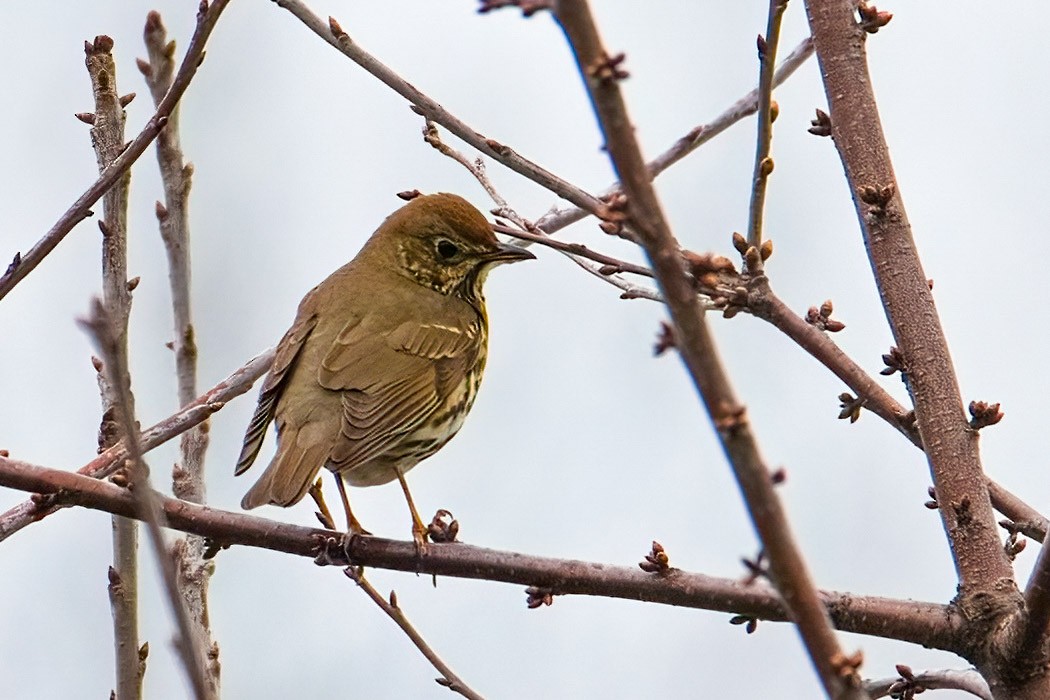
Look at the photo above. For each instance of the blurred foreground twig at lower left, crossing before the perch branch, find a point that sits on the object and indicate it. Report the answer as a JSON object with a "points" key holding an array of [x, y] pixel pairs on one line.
{"points": [[115, 362]]}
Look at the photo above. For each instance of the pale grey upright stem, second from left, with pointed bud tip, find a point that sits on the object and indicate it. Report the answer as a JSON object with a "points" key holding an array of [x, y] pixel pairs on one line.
{"points": [[195, 572]]}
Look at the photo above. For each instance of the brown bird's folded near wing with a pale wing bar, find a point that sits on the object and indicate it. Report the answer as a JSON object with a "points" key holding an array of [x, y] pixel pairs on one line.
{"points": [[391, 383]]}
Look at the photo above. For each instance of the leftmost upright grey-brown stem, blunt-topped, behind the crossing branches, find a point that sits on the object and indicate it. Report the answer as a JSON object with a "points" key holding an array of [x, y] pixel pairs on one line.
{"points": [[108, 140]]}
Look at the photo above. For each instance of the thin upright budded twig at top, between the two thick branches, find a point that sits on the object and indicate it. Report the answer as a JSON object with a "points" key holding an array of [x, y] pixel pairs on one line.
{"points": [[764, 164]]}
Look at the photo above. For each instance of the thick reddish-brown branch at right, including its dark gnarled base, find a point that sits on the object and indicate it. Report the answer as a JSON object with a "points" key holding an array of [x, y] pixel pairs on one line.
{"points": [[988, 593]]}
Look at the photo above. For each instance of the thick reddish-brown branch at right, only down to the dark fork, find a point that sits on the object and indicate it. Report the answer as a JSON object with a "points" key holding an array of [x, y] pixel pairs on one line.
{"points": [[952, 447]]}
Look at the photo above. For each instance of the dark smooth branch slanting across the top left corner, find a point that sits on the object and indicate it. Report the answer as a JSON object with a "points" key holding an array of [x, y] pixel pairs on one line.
{"points": [[207, 16]]}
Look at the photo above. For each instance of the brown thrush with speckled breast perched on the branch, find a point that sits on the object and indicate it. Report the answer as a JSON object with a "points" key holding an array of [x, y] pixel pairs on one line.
{"points": [[384, 360]]}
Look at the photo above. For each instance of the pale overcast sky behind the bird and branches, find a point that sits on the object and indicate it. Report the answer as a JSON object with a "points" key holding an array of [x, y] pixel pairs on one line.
{"points": [[581, 444]]}
